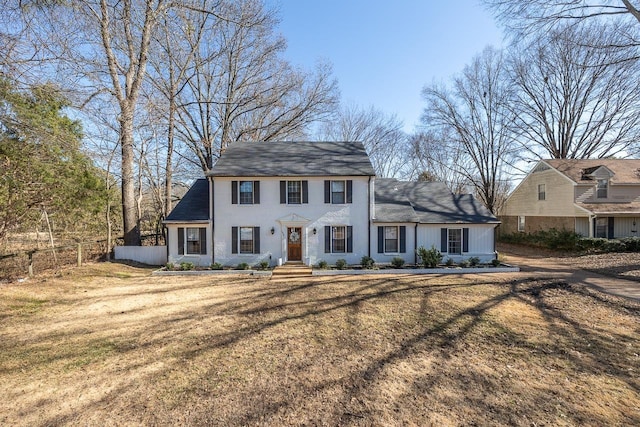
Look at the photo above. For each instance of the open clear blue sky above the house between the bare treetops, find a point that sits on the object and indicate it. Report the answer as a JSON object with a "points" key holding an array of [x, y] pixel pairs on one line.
{"points": [[384, 52]]}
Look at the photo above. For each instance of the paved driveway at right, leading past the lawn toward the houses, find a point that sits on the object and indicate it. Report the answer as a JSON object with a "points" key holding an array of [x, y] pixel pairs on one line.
{"points": [[543, 267]]}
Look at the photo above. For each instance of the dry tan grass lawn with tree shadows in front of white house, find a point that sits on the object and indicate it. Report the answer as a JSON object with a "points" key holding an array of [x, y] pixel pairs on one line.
{"points": [[108, 344]]}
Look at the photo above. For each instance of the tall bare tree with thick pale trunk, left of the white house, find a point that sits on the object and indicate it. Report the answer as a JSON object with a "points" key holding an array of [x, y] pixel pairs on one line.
{"points": [[102, 47]]}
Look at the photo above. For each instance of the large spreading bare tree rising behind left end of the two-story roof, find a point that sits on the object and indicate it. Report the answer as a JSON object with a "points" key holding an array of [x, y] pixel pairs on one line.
{"points": [[239, 88]]}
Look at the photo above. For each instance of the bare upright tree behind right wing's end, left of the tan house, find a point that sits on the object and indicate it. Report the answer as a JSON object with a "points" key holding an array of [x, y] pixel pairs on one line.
{"points": [[475, 114]]}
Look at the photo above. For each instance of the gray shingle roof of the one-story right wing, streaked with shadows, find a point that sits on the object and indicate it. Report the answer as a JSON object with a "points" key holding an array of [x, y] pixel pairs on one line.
{"points": [[431, 203]]}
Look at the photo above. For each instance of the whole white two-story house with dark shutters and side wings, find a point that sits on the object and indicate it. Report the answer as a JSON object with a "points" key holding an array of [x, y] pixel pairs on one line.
{"points": [[312, 201]]}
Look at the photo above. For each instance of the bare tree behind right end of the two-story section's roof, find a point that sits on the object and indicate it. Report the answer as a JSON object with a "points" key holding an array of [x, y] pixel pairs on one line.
{"points": [[382, 135]]}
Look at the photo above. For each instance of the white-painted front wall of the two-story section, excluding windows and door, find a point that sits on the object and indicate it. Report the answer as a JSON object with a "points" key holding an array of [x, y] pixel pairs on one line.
{"points": [[269, 213]]}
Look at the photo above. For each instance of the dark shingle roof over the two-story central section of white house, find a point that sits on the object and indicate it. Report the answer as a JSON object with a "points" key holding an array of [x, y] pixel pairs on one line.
{"points": [[293, 159]]}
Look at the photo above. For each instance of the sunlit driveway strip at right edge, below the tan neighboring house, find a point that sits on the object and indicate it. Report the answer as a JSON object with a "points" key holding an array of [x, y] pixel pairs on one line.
{"points": [[542, 264]]}
